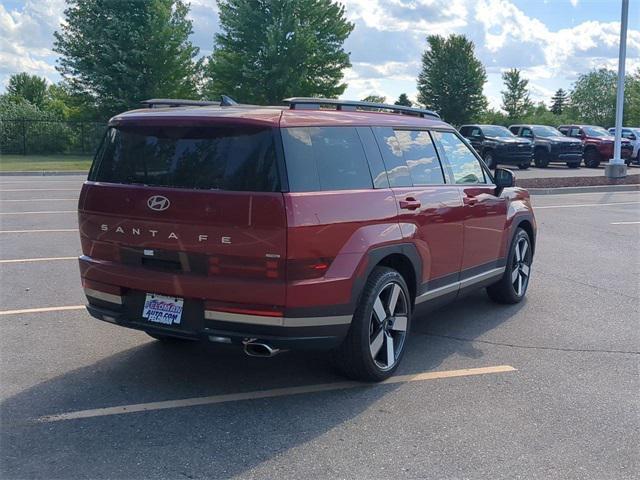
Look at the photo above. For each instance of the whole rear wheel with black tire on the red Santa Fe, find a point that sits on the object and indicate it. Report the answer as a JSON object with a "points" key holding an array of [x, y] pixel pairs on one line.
{"points": [[355, 357]]}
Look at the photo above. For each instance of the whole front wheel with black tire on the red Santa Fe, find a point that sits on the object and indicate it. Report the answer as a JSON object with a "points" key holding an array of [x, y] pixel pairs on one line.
{"points": [[508, 290]]}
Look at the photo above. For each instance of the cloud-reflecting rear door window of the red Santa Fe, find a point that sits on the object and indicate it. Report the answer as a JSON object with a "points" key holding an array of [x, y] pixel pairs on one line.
{"points": [[420, 156]]}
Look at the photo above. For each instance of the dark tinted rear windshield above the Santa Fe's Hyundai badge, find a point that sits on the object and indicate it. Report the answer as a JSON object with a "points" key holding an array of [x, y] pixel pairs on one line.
{"points": [[226, 158]]}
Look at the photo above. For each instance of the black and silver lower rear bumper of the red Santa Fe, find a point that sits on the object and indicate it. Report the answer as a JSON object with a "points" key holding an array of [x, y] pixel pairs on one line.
{"points": [[223, 327]]}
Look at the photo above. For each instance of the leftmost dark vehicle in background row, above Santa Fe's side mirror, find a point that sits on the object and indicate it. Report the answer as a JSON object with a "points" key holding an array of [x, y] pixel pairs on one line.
{"points": [[497, 145]]}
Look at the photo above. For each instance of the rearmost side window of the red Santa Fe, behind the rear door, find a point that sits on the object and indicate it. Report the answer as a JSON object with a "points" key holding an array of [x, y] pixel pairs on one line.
{"points": [[325, 158]]}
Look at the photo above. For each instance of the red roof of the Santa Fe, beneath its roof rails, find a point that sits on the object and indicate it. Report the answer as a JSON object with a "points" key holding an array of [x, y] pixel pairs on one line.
{"points": [[272, 116]]}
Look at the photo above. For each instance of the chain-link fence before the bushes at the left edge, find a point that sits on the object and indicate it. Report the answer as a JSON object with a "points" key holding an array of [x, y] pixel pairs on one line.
{"points": [[46, 137]]}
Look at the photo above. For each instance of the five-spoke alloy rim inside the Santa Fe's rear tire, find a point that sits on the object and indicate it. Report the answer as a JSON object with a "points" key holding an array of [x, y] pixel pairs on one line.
{"points": [[388, 326]]}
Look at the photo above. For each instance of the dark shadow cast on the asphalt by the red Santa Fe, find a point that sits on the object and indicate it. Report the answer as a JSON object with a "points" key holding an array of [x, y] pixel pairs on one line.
{"points": [[215, 441]]}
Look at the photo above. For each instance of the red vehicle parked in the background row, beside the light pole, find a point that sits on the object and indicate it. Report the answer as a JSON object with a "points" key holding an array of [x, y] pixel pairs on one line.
{"points": [[597, 142]]}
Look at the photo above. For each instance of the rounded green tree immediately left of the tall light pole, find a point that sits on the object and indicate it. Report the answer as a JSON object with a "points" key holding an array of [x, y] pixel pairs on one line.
{"points": [[594, 97]]}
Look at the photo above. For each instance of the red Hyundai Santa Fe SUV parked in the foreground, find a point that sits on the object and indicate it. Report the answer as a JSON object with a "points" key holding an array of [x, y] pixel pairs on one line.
{"points": [[323, 224]]}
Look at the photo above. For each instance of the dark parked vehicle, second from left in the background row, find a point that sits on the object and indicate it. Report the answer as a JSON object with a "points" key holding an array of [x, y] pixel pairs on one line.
{"points": [[550, 146]]}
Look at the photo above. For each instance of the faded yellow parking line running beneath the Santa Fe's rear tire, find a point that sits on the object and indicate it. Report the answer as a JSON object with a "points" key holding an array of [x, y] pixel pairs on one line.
{"points": [[276, 392]]}
